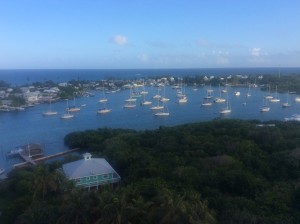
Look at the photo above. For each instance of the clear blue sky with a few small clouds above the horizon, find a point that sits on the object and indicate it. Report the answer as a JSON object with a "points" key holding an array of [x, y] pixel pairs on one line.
{"points": [[116, 34]]}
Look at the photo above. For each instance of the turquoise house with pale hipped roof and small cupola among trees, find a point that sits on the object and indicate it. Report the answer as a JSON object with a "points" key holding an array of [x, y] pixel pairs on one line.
{"points": [[90, 172]]}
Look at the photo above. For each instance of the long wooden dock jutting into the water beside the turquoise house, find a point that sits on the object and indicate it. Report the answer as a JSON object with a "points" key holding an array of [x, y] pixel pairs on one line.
{"points": [[30, 161]]}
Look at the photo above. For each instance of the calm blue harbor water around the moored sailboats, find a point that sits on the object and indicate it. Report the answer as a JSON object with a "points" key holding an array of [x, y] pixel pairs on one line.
{"points": [[19, 128]]}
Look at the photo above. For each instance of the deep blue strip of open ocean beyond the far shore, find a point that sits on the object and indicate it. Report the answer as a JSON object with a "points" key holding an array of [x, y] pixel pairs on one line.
{"points": [[27, 76]]}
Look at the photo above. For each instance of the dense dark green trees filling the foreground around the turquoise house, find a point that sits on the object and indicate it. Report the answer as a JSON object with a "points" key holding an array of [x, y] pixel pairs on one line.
{"points": [[224, 171]]}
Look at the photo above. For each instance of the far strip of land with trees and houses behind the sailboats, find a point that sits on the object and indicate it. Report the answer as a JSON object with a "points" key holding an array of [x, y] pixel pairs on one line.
{"points": [[20, 97]]}
